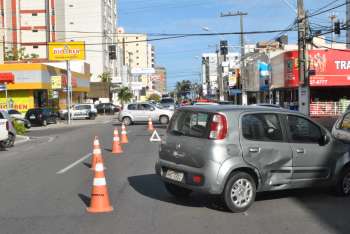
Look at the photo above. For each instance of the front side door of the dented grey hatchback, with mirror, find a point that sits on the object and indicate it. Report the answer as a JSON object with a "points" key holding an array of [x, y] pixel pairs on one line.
{"points": [[313, 152]]}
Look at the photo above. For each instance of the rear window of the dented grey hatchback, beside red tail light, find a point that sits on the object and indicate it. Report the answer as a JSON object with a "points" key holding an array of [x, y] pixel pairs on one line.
{"points": [[193, 124]]}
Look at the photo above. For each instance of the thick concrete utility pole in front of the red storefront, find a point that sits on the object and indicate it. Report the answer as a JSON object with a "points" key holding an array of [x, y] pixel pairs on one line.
{"points": [[304, 84]]}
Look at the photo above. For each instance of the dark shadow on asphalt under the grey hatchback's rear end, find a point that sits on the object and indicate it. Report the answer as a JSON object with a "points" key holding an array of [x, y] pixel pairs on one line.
{"points": [[151, 186]]}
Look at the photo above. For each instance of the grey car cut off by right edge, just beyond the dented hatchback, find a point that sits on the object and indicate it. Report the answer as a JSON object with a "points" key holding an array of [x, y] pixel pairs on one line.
{"points": [[341, 129]]}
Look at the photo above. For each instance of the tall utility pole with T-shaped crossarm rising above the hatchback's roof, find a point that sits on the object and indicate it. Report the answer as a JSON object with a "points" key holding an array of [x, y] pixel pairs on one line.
{"points": [[244, 87]]}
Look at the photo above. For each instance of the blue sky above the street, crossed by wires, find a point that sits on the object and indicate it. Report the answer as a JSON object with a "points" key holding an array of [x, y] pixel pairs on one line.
{"points": [[182, 57]]}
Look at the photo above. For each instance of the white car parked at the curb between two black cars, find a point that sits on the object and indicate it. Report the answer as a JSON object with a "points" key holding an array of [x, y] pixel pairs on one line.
{"points": [[80, 111]]}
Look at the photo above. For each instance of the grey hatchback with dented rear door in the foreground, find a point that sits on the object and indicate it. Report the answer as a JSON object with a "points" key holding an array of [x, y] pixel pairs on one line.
{"points": [[237, 151]]}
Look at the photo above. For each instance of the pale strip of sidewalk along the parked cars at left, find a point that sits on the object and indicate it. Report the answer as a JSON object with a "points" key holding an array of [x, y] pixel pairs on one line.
{"points": [[100, 119]]}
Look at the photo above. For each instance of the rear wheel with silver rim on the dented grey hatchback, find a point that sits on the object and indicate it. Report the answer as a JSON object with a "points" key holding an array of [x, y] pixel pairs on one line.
{"points": [[241, 200]]}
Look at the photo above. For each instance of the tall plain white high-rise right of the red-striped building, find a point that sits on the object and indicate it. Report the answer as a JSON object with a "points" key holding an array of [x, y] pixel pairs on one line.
{"points": [[97, 19]]}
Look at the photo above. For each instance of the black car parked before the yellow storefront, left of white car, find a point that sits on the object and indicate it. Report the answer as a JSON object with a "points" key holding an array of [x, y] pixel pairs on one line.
{"points": [[41, 116]]}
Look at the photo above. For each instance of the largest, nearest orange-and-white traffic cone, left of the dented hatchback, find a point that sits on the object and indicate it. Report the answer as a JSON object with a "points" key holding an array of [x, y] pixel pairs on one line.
{"points": [[99, 194]]}
